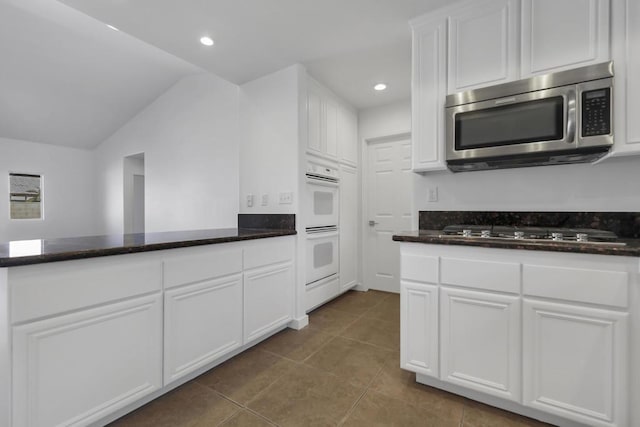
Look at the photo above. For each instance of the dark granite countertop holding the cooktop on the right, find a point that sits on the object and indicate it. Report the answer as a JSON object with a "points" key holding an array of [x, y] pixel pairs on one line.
{"points": [[632, 247]]}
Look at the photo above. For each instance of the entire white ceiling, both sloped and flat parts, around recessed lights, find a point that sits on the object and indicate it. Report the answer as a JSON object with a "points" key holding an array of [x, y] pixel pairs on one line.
{"points": [[67, 79]]}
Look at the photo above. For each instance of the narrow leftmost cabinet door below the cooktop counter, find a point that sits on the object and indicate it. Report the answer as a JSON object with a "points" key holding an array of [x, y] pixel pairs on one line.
{"points": [[419, 328]]}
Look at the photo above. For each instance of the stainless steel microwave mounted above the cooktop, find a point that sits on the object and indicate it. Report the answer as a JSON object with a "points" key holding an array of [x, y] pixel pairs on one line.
{"points": [[557, 118]]}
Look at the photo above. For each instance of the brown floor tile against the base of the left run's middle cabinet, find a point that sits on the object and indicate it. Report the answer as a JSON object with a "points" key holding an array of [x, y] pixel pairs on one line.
{"points": [[244, 376]]}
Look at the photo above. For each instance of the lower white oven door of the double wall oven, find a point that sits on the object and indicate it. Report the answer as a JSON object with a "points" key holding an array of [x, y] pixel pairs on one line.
{"points": [[322, 254]]}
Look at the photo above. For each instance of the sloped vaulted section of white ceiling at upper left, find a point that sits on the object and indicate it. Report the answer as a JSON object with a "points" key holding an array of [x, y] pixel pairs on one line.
{"points": [[67, 79]]}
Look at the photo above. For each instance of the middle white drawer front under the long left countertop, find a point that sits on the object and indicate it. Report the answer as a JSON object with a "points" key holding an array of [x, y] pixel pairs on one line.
{"points": [[197, 264]]}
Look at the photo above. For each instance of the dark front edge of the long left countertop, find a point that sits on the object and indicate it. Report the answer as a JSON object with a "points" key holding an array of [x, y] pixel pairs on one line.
{"points": [[123, 250]]}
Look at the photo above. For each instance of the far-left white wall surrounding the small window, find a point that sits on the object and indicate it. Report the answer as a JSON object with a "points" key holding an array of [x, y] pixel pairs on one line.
{"points": [[68, 196]]}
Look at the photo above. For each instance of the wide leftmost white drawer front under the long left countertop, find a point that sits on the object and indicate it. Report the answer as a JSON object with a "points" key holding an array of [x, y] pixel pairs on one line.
{"points": [[47, 289]]}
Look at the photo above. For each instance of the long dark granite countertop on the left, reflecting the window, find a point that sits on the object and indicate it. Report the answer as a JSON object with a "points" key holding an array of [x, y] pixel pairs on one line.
{"points": [[26, 252]]}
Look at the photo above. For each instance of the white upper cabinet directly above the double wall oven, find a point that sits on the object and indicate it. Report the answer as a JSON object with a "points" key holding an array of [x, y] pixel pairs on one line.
{"points": [[331, 126]]}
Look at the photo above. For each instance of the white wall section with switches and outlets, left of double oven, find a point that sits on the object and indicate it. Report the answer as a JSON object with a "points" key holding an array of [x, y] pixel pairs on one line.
{"points": [[269, 117]]}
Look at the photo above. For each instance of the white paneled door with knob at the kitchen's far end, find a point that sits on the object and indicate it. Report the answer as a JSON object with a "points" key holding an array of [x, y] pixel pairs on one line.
{"points": [[389, 190]]}
